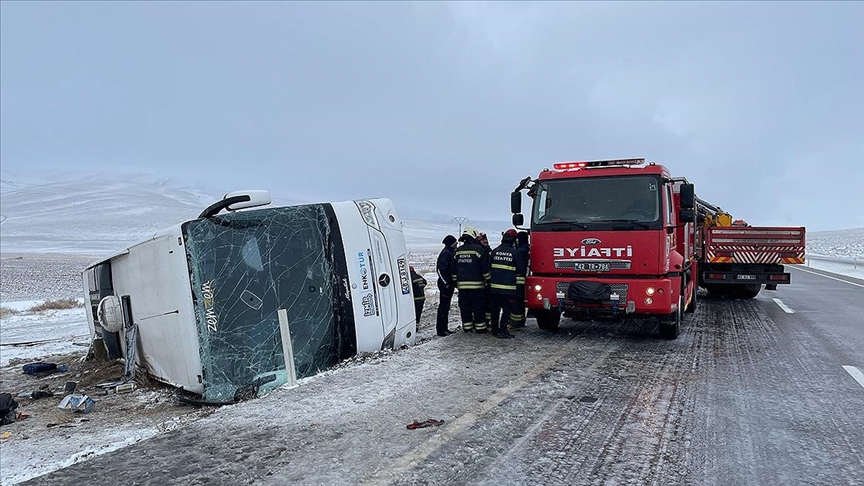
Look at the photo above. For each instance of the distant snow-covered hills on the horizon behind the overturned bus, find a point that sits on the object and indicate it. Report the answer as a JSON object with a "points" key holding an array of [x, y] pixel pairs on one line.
{"points": [[95, 214]]}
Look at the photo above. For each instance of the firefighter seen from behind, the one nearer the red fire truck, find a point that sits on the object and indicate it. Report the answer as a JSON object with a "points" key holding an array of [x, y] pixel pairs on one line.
{"points": [[504, 267]]}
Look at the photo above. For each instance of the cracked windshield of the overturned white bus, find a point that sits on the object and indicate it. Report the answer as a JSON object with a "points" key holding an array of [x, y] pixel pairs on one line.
{"points": [[244, 267]]}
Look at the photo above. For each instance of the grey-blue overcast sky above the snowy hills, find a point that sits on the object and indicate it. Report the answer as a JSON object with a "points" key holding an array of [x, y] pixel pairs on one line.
{"points": [[445, 107]]}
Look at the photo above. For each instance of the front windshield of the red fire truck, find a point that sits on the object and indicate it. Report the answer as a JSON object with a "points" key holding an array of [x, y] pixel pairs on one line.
{"points": [[599, 202]]}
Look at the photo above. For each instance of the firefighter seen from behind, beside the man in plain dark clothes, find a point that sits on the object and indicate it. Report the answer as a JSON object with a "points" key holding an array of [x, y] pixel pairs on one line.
{"points": [[470, 272]]}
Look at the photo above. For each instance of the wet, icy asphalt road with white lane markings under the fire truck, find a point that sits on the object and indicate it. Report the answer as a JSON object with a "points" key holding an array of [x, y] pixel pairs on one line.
{"points": [[755, 392]]}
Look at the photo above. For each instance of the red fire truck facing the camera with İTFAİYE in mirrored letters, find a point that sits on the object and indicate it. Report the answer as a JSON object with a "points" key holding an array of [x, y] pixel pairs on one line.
{"points": [[611, 238]]}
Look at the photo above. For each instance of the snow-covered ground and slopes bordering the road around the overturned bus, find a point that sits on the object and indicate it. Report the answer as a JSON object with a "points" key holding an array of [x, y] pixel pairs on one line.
{"points": [[48, 230]]}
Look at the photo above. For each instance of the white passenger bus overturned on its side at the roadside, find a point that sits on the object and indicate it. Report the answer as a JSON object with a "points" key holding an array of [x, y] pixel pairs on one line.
{"points": [[203, 296]]}
